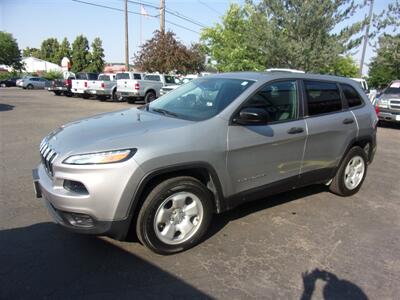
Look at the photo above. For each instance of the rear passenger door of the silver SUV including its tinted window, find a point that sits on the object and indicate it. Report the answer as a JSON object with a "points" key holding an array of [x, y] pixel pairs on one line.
{"points": [[330, 127]]}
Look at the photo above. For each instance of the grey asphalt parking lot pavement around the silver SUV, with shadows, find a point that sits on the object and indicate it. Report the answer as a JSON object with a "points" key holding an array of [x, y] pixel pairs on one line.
{"points": [[305, 244]]}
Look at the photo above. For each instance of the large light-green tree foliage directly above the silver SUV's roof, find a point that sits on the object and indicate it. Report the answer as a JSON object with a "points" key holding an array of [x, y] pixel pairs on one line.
{"points": [[283, 33]]}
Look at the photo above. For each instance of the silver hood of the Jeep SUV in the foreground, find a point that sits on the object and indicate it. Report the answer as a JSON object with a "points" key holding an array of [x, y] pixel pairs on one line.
{"points": [[109, 131]]}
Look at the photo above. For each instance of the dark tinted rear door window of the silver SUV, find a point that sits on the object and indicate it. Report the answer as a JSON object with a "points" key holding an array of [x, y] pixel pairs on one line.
{"points": [[322, 97]]}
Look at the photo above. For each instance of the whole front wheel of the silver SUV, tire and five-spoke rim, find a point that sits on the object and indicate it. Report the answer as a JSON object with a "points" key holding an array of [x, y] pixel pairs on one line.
{"points": [[179, 204]]}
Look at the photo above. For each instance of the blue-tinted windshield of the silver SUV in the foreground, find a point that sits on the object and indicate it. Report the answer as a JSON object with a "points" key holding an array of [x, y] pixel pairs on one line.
{"points": [[200, 99]]}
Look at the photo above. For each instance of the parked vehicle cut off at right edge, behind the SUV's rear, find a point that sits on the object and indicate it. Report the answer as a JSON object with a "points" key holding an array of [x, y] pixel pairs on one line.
{"points": [[388, 103]]}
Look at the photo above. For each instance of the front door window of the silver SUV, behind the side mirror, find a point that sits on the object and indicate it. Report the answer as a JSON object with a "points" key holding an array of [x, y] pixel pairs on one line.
{"points": [[279, 99]]}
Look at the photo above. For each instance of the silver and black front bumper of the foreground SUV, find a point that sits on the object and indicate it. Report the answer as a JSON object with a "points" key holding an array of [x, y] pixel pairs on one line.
{"points": [[103, 210]]}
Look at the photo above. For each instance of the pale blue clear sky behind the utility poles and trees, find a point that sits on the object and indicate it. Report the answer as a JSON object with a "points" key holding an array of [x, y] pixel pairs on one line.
{"points": [[32, 21]]}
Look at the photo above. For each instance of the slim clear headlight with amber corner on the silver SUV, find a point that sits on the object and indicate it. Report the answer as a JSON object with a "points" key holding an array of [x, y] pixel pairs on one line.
{"points": [[100, 157]]}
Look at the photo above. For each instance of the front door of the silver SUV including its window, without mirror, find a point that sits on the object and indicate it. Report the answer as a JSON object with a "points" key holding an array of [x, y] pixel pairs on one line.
{"points": [[268, 155]]}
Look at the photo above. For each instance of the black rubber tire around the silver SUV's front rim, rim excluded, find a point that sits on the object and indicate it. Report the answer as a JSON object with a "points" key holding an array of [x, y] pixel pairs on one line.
{"points": [[147, 215]]}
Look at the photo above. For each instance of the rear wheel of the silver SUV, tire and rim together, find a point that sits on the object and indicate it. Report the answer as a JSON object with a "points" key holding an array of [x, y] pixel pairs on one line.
{"points": [[344, 183]]}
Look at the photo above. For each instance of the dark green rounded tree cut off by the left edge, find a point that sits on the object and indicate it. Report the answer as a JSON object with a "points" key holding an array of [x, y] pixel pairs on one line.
{"points": [[10, 55]]}
